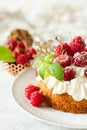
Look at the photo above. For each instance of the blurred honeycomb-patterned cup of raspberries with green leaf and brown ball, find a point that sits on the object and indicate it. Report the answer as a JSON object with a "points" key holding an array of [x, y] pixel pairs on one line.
{"points": [[18, 52]]}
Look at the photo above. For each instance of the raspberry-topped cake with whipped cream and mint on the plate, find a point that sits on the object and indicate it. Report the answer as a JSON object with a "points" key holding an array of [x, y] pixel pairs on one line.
{"points": [[62, 76]]}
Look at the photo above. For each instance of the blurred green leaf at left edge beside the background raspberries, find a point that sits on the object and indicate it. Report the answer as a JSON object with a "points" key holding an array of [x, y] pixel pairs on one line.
{"points": [[6, 54]]}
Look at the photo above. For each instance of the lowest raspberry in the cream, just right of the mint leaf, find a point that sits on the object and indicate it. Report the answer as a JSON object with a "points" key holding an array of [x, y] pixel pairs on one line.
{"points": [[69, 73]]}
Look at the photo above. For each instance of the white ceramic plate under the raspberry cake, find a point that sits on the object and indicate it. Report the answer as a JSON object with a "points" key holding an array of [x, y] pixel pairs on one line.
{"points": [[46, 114]]}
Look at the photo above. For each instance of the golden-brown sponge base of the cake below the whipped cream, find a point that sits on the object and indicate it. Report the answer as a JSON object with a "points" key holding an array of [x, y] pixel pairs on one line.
{"points": [[62, 102]]}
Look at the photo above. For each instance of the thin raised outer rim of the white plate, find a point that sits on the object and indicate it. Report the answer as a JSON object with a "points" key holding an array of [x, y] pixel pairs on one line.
{"points": [[36, 116]]}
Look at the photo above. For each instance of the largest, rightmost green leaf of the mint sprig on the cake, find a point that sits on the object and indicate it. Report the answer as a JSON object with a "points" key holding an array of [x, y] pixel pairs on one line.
{"points": [[55, 70]]}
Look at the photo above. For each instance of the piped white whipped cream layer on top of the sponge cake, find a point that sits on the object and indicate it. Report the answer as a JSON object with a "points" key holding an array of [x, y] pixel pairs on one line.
{"points": [[77, 87]]}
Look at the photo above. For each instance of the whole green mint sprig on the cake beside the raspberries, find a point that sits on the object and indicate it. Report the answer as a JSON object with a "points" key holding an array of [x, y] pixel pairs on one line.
{"points": [[45, 65]]}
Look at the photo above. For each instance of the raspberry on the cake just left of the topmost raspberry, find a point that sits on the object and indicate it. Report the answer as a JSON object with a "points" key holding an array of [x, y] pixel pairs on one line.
{"points": [[63, 48]]}
